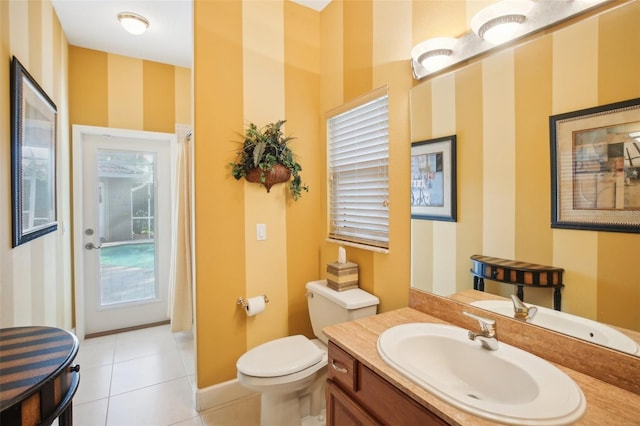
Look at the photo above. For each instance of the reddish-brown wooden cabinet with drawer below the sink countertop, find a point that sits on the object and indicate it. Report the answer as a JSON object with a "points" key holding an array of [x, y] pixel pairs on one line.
{"points": [[358, 396]]}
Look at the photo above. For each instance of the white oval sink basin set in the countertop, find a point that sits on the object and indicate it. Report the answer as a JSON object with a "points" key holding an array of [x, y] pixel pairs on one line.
{"points": [[507, 385]]}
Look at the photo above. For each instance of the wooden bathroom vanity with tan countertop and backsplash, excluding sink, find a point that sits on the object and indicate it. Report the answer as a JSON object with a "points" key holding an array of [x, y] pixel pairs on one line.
{"points": [[364, 390]]}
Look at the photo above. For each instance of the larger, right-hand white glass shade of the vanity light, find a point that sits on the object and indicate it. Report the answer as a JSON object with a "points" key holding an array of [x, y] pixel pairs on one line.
{"points": [[502, 21]]}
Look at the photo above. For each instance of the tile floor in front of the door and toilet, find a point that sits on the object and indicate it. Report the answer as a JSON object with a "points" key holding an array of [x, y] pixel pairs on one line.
{"points": [[146, 377]]}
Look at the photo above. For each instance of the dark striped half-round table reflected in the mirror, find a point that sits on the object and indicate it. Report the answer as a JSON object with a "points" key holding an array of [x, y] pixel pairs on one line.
{"points": [[520, 274]]}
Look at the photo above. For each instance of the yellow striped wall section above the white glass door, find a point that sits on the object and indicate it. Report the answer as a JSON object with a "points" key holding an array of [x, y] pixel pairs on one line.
{"points": [[110, 90]]}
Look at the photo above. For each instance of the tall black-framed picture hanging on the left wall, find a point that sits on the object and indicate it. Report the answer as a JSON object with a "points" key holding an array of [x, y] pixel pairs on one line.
{"points": [[33, 157]]}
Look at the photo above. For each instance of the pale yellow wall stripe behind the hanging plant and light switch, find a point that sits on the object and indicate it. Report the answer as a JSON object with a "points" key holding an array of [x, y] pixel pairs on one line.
{"points": [[263, 102]]}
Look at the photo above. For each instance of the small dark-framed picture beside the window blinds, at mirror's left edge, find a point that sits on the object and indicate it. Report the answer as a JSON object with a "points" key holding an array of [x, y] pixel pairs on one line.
{"points": [[433, 179]]}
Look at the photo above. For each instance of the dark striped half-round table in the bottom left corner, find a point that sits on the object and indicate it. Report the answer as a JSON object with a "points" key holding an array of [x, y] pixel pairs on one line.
{"points": [[37, 380]]}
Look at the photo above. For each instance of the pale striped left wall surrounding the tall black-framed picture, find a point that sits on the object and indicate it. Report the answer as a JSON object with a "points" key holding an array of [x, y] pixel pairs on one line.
{"points": [[35, 278]]}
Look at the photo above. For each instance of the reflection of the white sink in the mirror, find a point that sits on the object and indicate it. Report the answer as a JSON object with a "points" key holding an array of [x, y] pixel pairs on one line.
{"points": [[572, 325]]}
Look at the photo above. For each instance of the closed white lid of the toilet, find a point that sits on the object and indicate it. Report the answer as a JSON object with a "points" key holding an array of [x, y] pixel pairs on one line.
{"points": [[280, 357]]}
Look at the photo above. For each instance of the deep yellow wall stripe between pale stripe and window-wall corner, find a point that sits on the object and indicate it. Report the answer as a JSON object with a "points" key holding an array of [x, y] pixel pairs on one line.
{"points": [[301, 100]]}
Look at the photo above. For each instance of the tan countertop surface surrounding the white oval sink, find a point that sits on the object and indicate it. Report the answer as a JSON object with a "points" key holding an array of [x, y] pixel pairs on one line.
{"points": [[606, 404]]}
